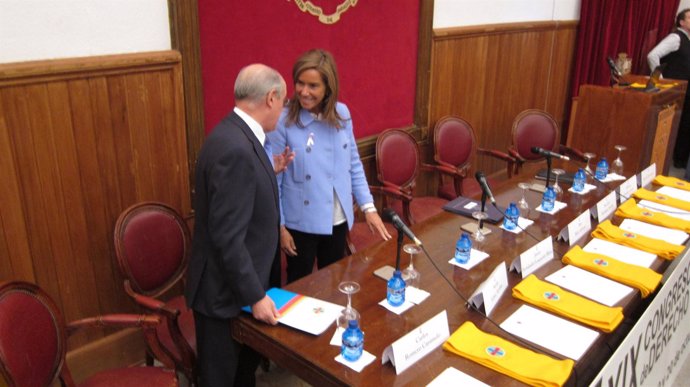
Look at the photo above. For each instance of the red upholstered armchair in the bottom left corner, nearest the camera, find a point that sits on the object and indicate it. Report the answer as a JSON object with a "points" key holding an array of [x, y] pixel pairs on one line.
{"points": [[33, 339]]}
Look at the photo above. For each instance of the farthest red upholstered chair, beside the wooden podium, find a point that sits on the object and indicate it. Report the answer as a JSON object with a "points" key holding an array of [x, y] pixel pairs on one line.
{"points": [[534, 127]]}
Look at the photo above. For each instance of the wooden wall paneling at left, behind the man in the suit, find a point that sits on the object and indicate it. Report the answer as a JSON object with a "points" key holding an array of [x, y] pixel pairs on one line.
{"points": [[82, 139]]}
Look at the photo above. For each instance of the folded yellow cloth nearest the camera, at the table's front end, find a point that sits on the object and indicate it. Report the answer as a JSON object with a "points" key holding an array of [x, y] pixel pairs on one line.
{"points": [[507, 358]]}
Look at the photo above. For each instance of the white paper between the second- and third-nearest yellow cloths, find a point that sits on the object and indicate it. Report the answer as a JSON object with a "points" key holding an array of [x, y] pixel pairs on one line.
{"points": [[590, 285]]}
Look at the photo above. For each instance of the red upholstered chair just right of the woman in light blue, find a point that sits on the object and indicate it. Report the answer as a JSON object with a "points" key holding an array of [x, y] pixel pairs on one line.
{"points": [[398, 165]]}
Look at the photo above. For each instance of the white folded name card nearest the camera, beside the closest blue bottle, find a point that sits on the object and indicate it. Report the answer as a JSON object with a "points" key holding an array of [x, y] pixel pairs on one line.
{"points": [[417, 343]]}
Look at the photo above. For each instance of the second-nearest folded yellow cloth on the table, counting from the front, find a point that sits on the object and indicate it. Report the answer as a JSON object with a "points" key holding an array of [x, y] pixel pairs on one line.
{"points": [[554, 299]]}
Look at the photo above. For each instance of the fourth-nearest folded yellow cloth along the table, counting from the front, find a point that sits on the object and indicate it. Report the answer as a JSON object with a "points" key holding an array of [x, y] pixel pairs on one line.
{"points": [[607, 231]]}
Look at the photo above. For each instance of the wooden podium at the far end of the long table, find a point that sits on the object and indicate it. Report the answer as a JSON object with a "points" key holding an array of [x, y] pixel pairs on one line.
{"points": [[645, 122]]}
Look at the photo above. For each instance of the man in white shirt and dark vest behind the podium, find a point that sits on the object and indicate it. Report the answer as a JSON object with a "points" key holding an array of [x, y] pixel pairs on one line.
{"points": [[674, 52]]}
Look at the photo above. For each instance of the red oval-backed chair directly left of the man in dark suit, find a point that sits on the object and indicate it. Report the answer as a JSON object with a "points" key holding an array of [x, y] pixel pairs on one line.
{"points": [[152, 245]]}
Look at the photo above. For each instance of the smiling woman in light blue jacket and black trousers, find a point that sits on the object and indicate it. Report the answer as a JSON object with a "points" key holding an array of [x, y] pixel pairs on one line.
{"points": [[317, 188]]}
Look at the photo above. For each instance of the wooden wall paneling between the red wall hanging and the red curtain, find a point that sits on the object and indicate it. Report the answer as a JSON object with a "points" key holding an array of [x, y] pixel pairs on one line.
{"points": [[488, 74]]}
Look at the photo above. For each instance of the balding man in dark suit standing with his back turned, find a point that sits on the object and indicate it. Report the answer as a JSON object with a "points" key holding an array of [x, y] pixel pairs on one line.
{"points": [[236, 228]]}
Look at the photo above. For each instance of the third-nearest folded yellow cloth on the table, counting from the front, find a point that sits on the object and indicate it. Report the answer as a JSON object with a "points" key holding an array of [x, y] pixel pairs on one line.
{"points": [[642, 278]]}
